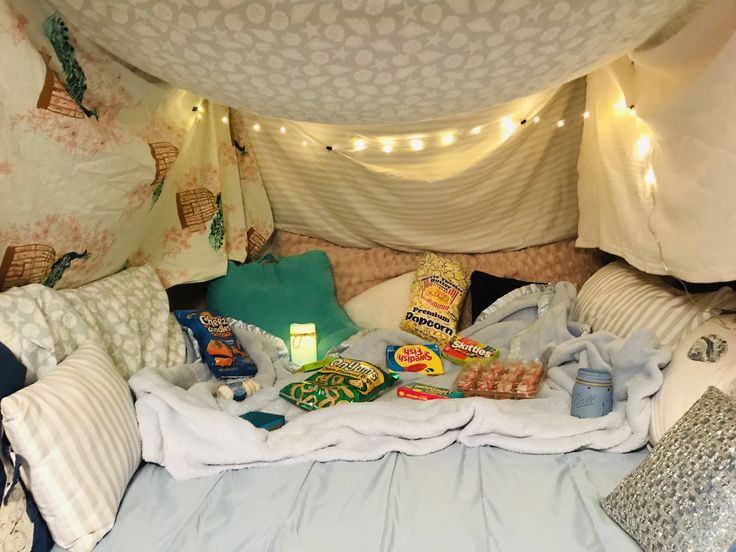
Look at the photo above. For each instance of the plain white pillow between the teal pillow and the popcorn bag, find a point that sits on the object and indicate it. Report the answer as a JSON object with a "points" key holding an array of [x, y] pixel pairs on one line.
{"points": [[384, 305]]}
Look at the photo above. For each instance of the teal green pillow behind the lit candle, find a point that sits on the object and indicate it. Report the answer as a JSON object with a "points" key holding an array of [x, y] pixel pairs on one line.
{"points": [[273, 292]]}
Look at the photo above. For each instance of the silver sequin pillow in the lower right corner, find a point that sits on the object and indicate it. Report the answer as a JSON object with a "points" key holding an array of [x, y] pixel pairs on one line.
{"points": [[683, 496]]}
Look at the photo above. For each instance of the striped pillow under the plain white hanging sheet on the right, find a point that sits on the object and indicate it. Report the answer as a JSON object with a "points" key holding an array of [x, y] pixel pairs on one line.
{"points": [[620, 299]]}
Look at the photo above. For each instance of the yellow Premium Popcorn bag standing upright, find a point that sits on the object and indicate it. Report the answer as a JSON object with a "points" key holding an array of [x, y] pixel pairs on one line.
{"points": [[436, 296]]}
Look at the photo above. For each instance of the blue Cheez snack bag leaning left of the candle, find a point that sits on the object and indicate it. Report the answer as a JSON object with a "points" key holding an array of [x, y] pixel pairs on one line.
{"points": [[219, 346]]}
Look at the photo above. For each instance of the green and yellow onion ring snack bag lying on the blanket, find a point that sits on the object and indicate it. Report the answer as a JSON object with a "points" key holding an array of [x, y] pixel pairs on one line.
{"points": [[342, 380]]}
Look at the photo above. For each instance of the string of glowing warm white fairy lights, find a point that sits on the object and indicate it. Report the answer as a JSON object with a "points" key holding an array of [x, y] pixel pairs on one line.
{"points": [[508, 125]]}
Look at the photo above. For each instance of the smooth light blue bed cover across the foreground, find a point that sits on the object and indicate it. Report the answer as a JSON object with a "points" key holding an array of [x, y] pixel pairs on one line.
{"points": [[459, 499]]}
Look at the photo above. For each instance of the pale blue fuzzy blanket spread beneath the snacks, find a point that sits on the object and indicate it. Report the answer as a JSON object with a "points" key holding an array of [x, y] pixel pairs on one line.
{"points": [[192, 434]]}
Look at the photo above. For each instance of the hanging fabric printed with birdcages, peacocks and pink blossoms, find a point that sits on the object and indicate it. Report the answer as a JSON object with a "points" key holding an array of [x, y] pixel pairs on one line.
{"points": [[97, 163]]}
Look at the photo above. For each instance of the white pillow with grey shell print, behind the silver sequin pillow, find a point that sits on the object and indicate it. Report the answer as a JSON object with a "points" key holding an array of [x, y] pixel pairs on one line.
{"points": [[685, 380]]}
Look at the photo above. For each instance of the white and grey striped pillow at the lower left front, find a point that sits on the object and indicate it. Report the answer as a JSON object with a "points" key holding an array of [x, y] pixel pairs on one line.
{"points": [[77, 433]]}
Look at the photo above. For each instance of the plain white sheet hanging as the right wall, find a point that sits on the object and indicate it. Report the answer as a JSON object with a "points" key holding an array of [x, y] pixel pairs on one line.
{"points": [[668, 208]]}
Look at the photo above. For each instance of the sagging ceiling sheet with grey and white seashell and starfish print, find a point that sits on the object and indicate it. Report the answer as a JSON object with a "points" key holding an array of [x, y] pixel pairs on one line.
{"points": [[367, 61]]}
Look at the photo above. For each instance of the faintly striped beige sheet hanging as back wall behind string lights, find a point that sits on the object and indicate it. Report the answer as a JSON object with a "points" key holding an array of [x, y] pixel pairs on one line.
{"points": [[509, 186]]}
